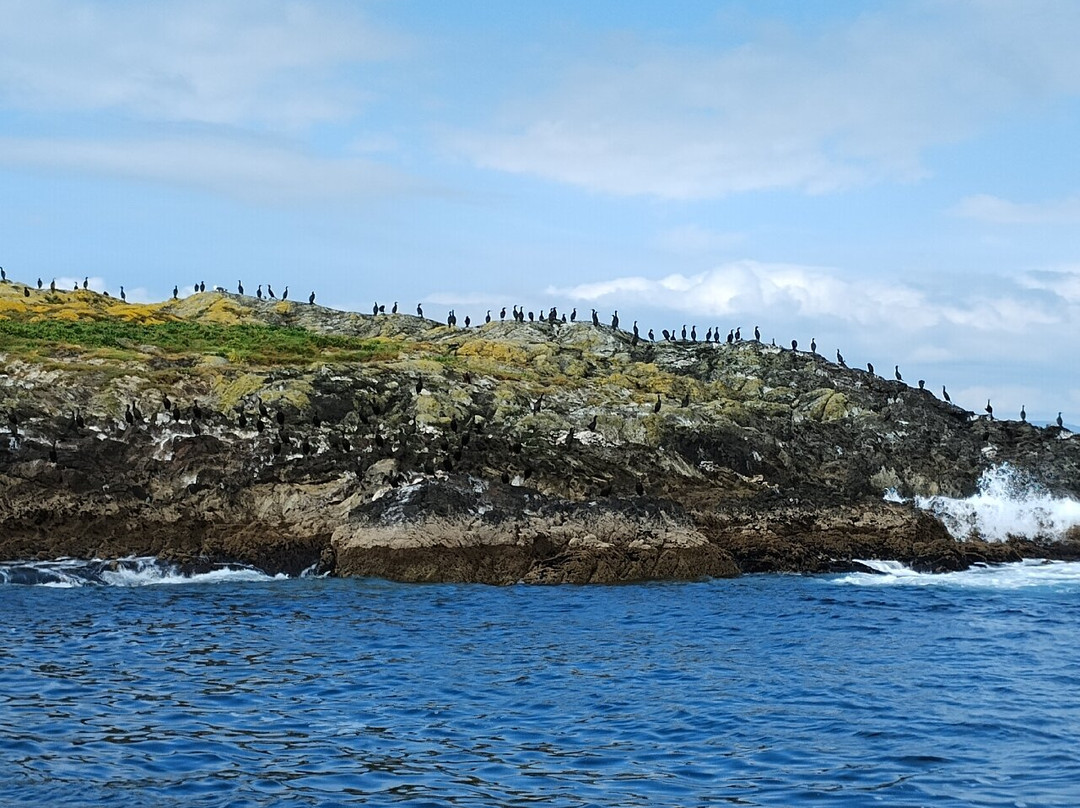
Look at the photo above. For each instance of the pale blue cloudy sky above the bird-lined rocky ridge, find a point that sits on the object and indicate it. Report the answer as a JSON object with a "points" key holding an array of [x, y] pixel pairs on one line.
{"points": [[895, 180]]}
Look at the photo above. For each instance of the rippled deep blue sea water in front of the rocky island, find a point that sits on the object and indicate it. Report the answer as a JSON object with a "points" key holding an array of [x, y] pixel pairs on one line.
{"points": [[777, 691]]}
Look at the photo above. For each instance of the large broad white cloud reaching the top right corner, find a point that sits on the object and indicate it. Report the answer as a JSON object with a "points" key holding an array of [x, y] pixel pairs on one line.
{"points": [[817, 111]]}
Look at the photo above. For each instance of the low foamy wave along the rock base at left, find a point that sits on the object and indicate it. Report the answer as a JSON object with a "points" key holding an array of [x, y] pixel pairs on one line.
{"points": [[131, 572]]}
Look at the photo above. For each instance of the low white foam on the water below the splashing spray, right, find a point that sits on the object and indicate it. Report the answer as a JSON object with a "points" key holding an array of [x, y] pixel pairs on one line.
{"points": [[1033, 573]]}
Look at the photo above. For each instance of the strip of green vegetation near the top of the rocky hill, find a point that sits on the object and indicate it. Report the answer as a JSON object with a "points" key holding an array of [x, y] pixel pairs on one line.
{"points": [[253, 344]]}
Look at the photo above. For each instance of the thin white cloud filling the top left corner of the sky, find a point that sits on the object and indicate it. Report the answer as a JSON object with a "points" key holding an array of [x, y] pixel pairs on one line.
{"points": [[277, 63]]}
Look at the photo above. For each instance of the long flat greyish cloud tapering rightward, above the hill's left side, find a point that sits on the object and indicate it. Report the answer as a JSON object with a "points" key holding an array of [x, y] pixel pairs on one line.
{"points": [[241, 169]]}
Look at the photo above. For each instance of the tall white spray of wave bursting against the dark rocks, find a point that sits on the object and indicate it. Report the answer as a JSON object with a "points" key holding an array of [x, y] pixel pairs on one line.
{"points": [[1008, 504]]}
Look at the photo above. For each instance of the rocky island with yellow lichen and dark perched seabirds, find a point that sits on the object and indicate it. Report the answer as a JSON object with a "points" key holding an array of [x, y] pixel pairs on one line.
{"points": [[400, 448]]}
